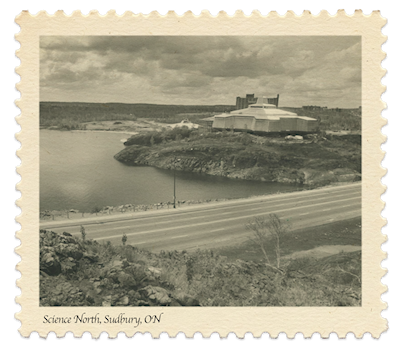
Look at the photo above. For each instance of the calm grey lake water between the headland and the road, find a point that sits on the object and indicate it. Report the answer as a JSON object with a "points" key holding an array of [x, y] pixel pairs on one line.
{"points": [[78, 171]]}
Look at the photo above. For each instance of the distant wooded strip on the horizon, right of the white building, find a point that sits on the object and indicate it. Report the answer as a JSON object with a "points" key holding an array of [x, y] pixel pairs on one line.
{"points": [[332, 119]]}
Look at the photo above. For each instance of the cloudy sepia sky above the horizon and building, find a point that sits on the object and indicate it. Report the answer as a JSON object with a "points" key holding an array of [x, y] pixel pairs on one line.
{"points": [[323, 71]]}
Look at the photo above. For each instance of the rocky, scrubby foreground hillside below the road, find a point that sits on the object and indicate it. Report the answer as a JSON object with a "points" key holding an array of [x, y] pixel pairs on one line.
{"points": [[77, 272]]}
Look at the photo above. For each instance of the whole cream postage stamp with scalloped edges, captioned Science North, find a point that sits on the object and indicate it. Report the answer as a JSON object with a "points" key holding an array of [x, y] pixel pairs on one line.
{"points": [[200, 173]]}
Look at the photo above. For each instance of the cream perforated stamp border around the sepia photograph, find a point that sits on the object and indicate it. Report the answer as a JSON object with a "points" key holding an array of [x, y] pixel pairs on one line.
{"points": [[206, 320]]}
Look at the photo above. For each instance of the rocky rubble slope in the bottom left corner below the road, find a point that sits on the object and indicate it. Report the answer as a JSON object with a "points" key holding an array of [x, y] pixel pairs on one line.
{"points": [[72, 274]]}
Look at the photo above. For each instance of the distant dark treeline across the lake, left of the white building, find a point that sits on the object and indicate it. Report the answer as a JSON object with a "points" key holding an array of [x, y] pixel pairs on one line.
{"points": [[68, 115]]}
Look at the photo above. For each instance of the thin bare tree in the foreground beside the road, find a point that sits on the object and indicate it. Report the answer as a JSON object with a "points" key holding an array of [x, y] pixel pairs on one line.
{"points": [[265, 227]]}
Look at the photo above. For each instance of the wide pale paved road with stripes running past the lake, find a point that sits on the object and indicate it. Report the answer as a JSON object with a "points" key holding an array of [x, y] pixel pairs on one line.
{"points": [[217, 224]]}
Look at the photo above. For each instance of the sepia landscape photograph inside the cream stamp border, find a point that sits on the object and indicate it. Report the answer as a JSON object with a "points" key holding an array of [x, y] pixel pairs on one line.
{"points": [[200, 170]]}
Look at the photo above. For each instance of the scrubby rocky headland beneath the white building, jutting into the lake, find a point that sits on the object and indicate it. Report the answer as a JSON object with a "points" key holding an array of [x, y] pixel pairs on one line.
{"points": [[317, 160]]}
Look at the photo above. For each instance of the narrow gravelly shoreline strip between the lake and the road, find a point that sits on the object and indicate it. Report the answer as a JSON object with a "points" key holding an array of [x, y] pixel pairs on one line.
{"points": [[49, 216]]}
